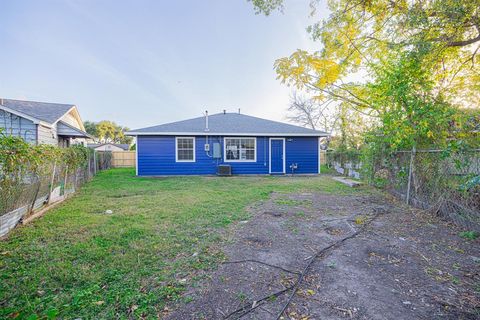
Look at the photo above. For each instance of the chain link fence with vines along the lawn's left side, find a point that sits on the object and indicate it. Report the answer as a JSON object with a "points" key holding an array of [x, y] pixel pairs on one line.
{"points": [[55, 181]]}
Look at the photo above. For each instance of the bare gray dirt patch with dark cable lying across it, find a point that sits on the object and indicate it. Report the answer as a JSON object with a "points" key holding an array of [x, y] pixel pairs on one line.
{"points": [[387, 261]]}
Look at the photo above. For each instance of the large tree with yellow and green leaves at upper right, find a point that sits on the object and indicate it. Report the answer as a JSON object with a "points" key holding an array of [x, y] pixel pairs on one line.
{"points": [[417, 59]]}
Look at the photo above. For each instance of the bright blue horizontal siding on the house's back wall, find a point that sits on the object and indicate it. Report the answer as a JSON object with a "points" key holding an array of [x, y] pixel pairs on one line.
{"points": [[156, 156]]}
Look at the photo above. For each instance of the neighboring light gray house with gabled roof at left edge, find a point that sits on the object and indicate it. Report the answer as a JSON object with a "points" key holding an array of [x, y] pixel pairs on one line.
{"points": [[42, 123]]}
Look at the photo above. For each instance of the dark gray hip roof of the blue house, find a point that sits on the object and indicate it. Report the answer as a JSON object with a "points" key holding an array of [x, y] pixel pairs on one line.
{"points": [[228, 124]]}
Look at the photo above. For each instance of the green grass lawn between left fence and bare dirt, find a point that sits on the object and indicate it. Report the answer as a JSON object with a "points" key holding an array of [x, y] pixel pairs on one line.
{"points": [[78, 262]]}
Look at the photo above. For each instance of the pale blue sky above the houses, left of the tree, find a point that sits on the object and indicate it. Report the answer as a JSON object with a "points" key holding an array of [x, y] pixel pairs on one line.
{"points": [[142, 63]]}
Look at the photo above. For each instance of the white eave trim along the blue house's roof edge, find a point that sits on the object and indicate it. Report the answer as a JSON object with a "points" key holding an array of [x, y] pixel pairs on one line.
{"points": [[249, 135]]}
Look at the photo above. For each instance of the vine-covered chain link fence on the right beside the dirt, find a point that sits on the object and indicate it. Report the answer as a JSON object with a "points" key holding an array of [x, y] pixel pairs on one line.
{"points": [[447, 183]]}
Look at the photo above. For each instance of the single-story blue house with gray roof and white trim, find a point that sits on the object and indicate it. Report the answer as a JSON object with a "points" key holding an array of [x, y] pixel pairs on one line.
{"points": [[227, 143]]}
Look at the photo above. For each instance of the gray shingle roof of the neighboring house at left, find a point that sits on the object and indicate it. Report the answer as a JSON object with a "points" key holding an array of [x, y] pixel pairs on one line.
{"points": [[48, 112]]}
